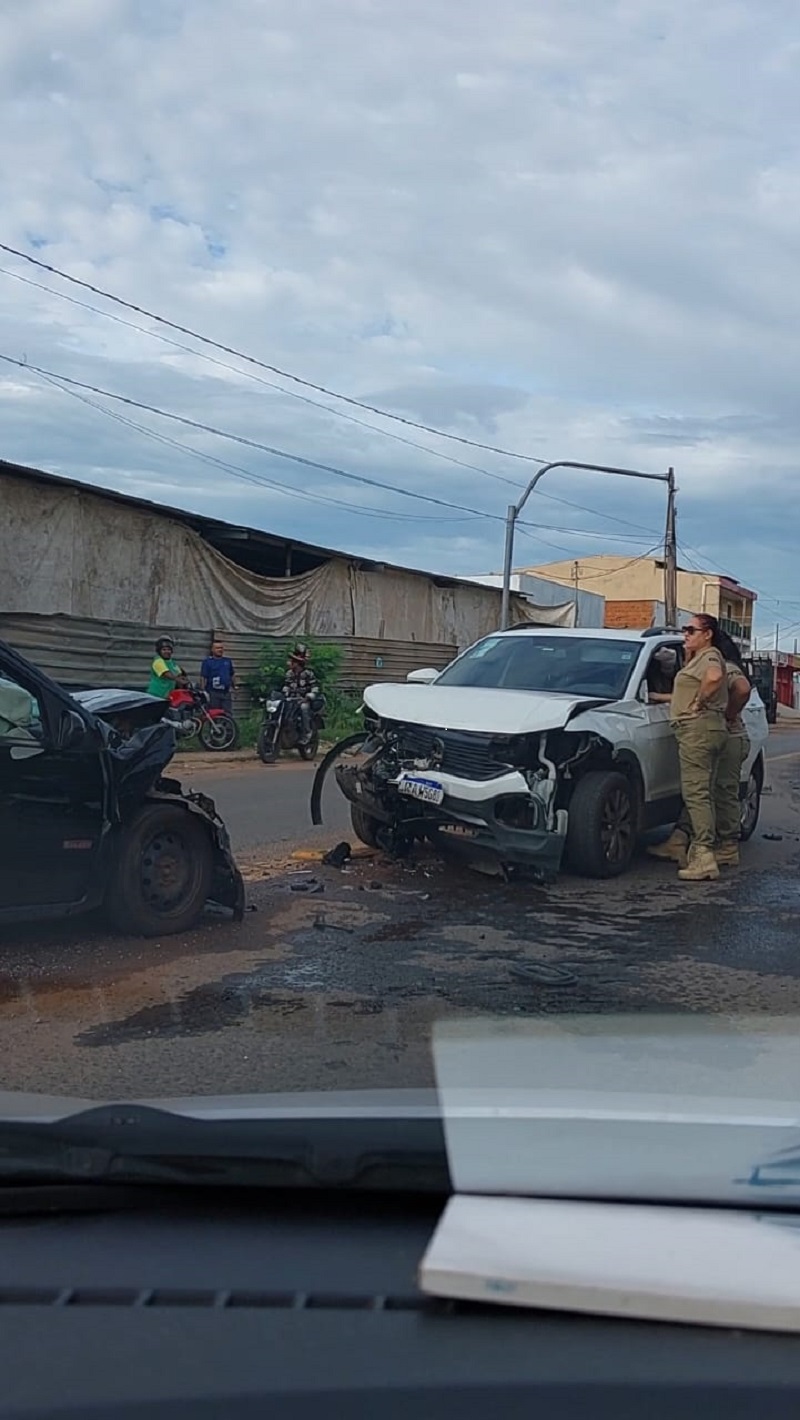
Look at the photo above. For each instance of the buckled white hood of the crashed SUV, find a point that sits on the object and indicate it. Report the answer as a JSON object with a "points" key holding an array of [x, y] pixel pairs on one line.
{"points": [[488, 712]]}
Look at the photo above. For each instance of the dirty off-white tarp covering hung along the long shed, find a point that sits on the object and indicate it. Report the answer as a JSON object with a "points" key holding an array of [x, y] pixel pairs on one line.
{"points": [[77, 553]]}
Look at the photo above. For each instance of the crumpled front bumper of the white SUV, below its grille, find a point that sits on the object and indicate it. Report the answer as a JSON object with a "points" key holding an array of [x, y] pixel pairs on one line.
{"points": [[467, 817]]}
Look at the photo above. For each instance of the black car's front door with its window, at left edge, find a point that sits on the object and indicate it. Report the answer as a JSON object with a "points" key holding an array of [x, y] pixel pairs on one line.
{"points": [[53, 797]]}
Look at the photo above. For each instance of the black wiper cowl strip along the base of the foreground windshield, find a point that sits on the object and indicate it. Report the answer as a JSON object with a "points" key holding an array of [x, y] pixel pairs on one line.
{"points": [[143, 1145]]}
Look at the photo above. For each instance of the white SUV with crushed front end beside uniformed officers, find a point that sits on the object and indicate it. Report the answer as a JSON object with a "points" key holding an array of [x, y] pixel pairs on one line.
{"points": [[531, 746]]}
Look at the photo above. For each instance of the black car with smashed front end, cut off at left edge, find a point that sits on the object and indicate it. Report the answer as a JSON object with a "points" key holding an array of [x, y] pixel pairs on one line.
{"points": [[89, 820]]}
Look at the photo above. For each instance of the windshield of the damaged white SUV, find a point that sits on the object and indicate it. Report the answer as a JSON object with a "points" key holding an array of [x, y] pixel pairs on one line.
{"points": [[565, 665]]}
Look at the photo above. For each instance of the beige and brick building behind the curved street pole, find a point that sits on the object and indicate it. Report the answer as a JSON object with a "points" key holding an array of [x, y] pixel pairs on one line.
{"points": [[622, 579]]}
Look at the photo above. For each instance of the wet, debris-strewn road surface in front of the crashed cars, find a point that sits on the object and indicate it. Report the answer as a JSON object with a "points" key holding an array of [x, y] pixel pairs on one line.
{"points": [[336, 978]]}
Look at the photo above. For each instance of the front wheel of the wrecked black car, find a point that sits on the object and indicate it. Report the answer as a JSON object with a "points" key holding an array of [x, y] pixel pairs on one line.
{"points": [[163, 873]]}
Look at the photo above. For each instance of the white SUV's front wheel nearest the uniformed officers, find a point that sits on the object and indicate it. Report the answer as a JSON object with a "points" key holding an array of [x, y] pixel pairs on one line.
{"points": [[602, 834]]}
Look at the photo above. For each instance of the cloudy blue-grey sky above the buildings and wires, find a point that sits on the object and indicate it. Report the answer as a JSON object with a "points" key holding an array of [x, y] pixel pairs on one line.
{"points": [[568, 229]]}
